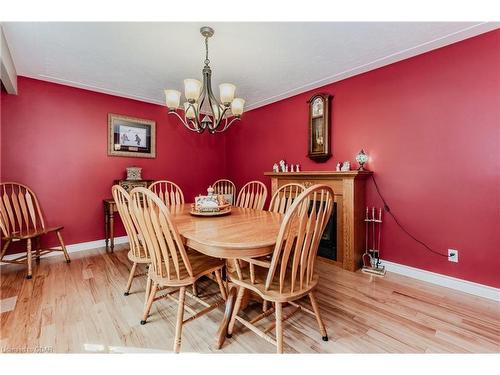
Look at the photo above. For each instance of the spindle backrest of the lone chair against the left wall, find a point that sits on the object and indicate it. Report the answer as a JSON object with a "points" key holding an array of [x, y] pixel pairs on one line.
{"points": [[19, 209]]}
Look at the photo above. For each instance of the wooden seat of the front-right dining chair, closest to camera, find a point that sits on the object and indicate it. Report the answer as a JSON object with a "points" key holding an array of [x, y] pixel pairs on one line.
{"points": [[272, 294]]}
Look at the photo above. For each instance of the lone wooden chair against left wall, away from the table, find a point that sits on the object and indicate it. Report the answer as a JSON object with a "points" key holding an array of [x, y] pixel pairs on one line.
{"points": [[21, 219]]}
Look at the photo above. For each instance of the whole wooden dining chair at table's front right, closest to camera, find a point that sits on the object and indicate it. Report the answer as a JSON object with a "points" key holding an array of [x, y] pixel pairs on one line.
{"points": [[291, 273]]}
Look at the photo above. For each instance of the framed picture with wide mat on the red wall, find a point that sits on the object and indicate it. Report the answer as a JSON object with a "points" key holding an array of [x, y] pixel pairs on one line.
{"points": [[131, 137]]}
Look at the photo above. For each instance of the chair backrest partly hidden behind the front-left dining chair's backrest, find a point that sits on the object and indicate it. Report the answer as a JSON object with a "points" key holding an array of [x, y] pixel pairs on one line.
{"points": [[122, 201]]}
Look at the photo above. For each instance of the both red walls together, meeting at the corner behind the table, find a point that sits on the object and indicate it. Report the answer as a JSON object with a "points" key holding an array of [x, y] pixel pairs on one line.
{"points": [[430, 125]]}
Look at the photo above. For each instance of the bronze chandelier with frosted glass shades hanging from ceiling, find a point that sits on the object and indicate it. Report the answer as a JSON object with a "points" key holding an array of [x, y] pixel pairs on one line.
{"points": [[202, 111]]}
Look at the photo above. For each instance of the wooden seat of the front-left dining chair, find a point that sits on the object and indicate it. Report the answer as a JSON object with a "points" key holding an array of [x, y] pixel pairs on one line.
{"points": [[201, 265]]}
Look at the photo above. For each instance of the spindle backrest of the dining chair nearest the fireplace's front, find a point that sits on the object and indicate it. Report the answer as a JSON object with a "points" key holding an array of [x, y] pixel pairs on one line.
{"points": [[294, 256]]}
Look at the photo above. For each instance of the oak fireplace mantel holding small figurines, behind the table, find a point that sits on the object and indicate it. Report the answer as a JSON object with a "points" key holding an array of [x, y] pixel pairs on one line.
{"points": [[349, 190]]}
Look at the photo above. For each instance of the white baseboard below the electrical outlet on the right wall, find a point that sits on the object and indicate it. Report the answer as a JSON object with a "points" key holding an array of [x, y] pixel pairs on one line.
{"points": [[476, 289]]}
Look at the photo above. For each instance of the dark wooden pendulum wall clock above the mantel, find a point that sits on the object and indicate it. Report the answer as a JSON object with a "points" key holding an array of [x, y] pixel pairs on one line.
{"points": [[319, 127]]}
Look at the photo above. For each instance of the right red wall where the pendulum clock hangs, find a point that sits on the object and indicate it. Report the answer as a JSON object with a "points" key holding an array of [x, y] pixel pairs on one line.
{"points": [[430, 125]]}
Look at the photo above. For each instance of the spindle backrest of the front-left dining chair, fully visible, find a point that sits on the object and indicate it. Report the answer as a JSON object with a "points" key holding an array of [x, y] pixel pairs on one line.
{"points": [[160, 236]]}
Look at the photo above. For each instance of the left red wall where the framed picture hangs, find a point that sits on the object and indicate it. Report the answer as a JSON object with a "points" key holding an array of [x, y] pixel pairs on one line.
{"points": [[55, 141]]}
